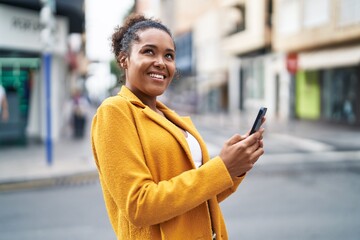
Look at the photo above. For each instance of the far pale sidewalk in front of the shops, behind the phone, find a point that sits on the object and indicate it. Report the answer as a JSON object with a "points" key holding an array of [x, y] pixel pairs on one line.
{"points": [[339, 137]]}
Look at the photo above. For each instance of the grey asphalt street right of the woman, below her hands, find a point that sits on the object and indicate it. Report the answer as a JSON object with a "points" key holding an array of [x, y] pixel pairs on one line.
{"points": [[300, 202]]}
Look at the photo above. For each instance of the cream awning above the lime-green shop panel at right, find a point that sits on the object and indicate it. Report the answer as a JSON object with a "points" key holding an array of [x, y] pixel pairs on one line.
{"points": [[329, 58]]}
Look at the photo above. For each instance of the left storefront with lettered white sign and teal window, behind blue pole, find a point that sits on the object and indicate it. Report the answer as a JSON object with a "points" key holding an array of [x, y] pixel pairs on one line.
{"points": [[21, 74]]}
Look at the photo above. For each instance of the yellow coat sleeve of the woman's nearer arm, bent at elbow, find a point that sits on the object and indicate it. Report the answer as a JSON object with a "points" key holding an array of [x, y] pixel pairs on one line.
{"points": [[125, 175]]}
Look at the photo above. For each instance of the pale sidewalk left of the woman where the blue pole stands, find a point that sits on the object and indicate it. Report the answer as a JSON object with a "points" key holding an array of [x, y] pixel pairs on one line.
{"points": [[27, 166]]}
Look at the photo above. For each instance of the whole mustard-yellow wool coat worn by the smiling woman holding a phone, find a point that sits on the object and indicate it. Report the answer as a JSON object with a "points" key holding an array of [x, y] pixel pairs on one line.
{"points": [[151, 187]]}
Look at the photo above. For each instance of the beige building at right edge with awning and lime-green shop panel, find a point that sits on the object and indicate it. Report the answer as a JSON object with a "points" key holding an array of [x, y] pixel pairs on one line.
{"points": [[324, 38]]}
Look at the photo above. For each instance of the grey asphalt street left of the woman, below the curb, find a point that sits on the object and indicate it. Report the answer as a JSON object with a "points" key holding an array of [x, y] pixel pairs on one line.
{"points": [[60, 213]]}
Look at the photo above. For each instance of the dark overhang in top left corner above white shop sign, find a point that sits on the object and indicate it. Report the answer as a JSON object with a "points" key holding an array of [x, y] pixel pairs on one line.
{"points": [[72, 9]]}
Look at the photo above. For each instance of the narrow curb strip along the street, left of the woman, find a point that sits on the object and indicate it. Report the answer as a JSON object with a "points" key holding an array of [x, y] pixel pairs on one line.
{"points": [[82, 178]]}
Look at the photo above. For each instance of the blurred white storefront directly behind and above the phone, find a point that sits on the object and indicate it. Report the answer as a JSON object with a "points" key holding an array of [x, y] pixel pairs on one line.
{"points": [[261, 80]]}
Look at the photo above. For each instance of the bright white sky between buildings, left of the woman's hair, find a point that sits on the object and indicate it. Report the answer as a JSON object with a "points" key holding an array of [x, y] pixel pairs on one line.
{"points": [[101, 19]]}
